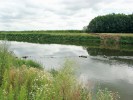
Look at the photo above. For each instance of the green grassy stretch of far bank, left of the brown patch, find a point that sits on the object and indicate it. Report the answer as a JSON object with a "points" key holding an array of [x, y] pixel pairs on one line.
{"points": [[40, 37]]}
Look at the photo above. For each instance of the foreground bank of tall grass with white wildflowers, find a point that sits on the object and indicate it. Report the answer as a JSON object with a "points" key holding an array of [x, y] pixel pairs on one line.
{"points": [[21, 80]]}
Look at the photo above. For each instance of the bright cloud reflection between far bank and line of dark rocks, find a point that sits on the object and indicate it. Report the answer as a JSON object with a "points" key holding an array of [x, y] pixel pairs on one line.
{"points": [[44, 50]]}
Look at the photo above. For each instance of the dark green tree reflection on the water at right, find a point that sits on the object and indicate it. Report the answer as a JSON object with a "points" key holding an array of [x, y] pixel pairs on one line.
{"points": [[111, 57]]}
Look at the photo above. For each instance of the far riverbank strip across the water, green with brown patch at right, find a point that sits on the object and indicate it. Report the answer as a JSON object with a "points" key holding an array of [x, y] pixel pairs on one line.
{"points": [[64, 37]]}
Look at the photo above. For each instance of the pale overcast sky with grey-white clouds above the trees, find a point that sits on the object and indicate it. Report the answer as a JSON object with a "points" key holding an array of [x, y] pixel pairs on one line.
{"points": [[21, 15]]}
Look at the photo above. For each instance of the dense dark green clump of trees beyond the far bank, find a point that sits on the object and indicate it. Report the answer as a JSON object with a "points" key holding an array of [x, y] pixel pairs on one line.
{"points": [[111, 23]]}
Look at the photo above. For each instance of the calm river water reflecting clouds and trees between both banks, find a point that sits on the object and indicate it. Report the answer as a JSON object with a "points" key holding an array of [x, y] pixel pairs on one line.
{"points": [[112, 69]]}
